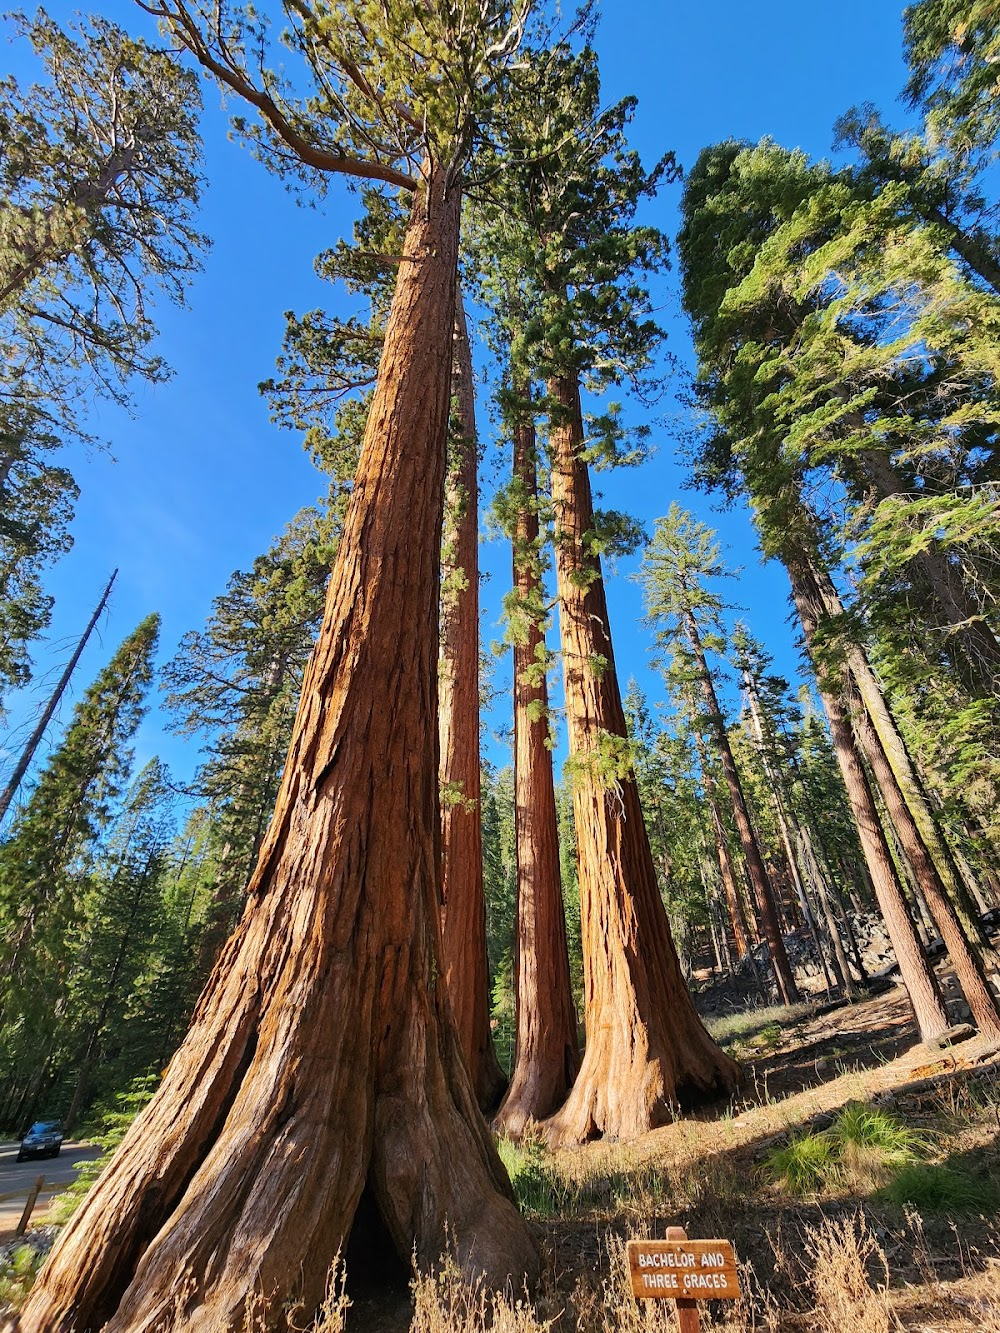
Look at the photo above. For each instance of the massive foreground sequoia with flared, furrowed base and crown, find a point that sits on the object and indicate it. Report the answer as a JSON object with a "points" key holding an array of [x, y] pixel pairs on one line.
{"points": [[323, 1064]]}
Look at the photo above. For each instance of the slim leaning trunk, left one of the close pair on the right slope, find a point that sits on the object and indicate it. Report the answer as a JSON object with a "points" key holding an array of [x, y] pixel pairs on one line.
{"points": [[917, 974]]}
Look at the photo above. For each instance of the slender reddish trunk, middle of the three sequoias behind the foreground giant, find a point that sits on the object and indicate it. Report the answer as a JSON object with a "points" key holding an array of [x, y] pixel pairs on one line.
{"points": [[547, 1054]]}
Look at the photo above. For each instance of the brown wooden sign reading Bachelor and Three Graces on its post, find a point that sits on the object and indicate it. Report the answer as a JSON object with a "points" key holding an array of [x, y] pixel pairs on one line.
{"points": [[686, 1272]]}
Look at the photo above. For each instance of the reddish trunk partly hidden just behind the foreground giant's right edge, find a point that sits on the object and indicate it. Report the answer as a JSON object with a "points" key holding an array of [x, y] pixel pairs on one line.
{"points": [[463, 899]]}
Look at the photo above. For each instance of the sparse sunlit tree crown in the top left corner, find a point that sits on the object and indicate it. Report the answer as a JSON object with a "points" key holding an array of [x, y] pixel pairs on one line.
{"points": [[99, 185]]}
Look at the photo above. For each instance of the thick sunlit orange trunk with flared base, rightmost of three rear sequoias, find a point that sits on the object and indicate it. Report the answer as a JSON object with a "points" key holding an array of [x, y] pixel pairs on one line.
{"points": [[647, 1050]]}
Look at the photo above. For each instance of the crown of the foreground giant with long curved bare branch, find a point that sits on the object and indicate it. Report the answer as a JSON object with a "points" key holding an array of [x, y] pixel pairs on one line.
{"points": [[362, 89]]}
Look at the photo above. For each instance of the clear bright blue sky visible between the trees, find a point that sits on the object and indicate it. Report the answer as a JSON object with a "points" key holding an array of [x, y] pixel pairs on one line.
{"points": [[198, 482]]}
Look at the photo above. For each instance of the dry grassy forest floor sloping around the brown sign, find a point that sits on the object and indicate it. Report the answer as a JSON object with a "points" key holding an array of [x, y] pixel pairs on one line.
{"points": [[858, 1176]]}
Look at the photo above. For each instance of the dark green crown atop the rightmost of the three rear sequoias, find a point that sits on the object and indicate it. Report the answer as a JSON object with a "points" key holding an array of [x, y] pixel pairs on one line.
{"points": [[561, 257]]}
